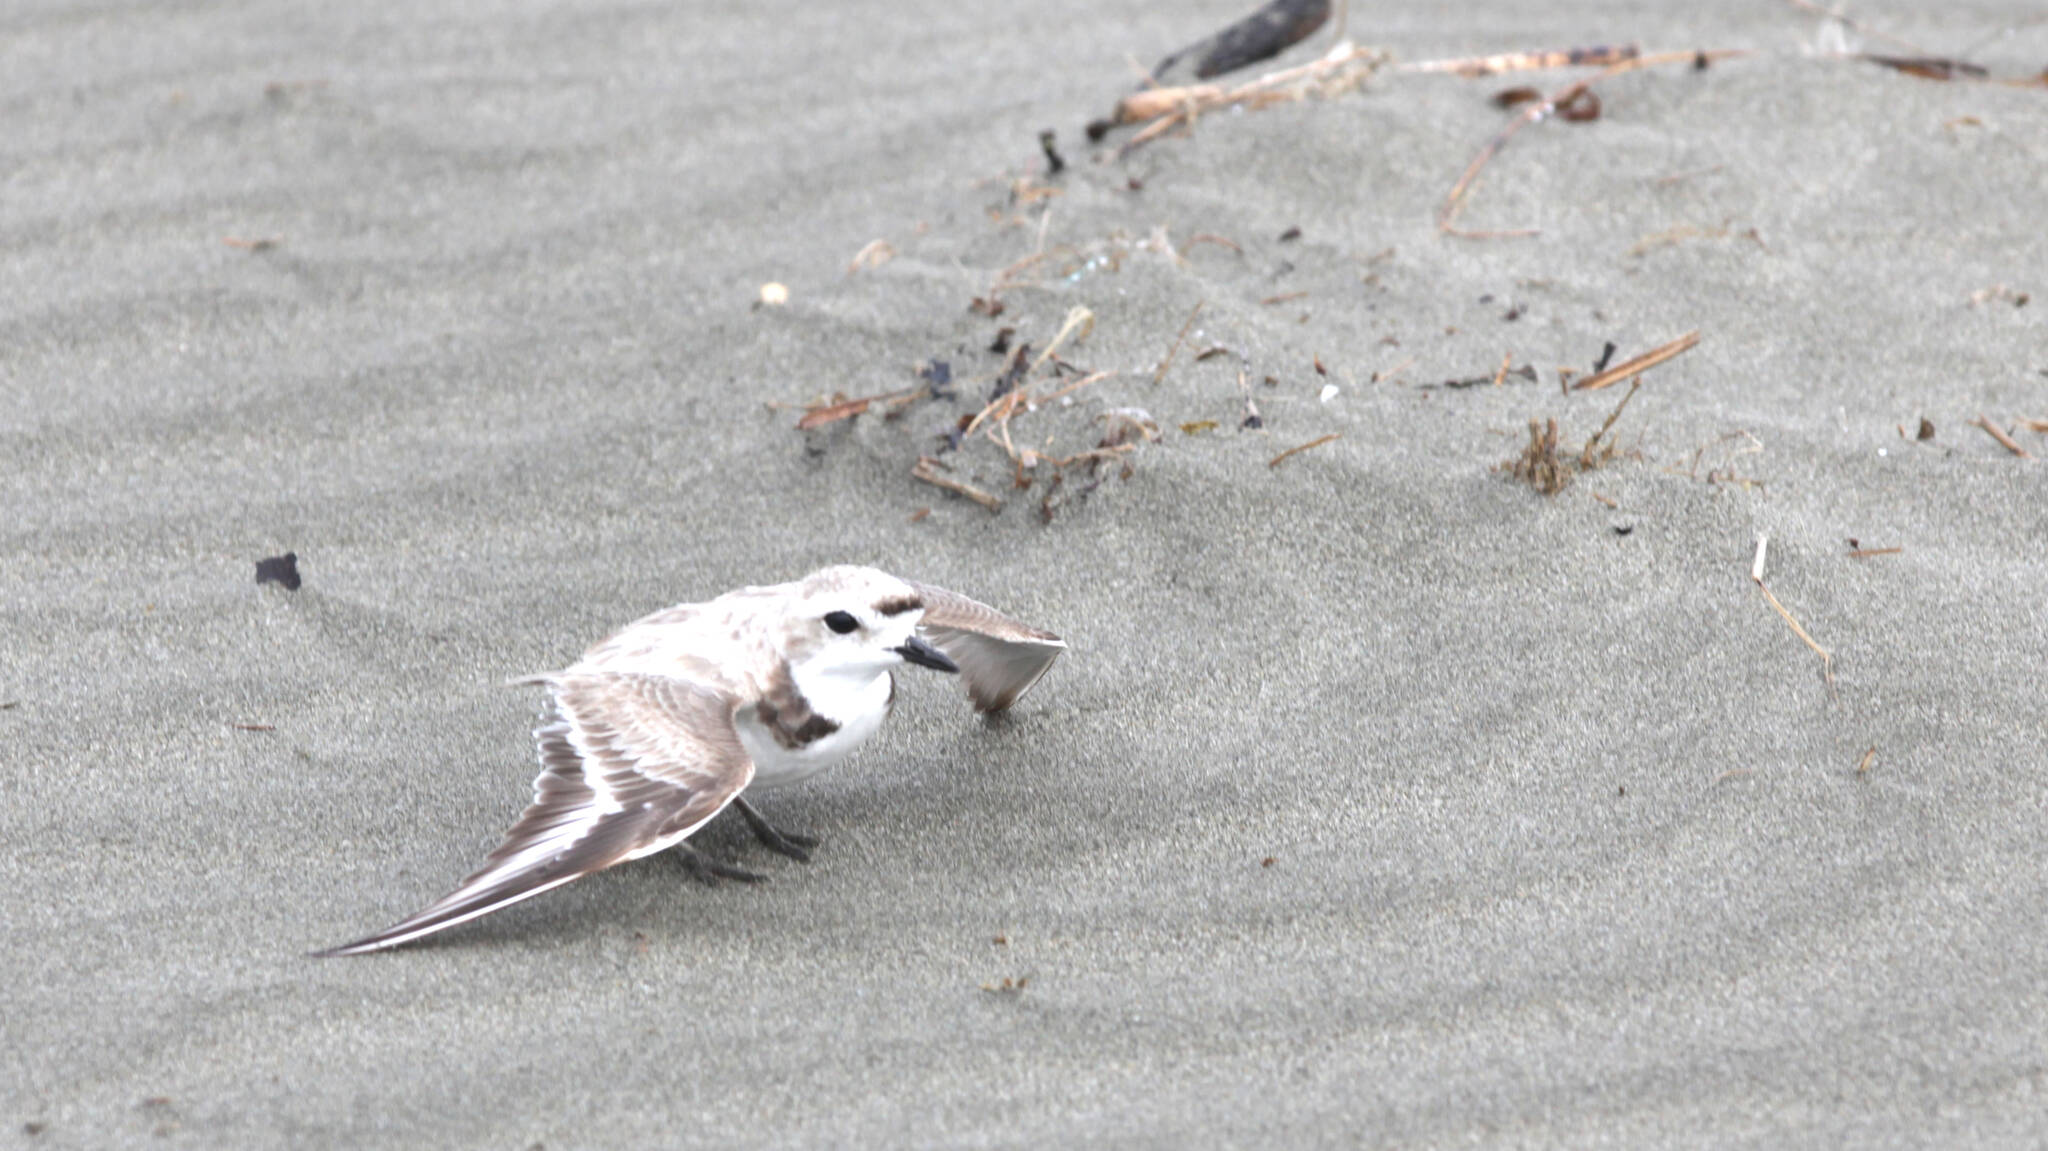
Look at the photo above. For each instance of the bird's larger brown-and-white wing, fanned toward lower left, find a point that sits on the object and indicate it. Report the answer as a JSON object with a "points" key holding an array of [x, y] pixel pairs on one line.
{"points": [[630, 765]]}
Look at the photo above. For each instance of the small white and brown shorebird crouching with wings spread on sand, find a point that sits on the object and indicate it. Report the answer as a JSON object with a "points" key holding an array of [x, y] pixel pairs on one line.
{"points": [[663, 726]]}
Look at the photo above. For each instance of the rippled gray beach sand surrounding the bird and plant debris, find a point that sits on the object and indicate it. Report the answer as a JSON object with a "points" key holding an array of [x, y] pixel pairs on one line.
{"points": [[1568, 830]]}
